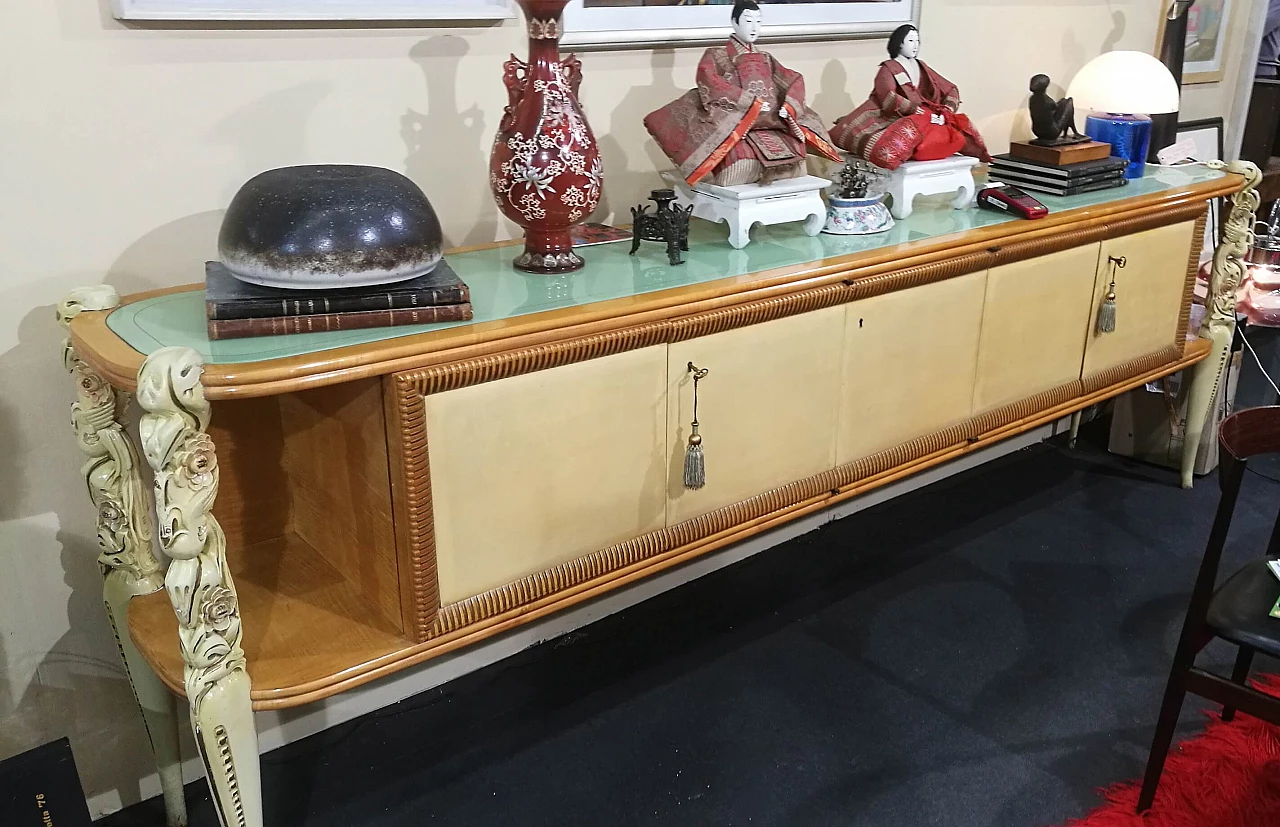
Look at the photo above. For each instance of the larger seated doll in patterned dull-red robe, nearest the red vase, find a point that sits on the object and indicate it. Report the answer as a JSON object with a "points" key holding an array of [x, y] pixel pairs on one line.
{"points": [[747, 122]]}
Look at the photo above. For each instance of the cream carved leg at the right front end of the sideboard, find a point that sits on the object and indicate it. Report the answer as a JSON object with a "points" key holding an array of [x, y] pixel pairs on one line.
{"points": [[1219, 325]]}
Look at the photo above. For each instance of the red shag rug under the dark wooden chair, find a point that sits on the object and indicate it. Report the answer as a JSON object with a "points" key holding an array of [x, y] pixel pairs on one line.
{"points": [[1227, 778]]}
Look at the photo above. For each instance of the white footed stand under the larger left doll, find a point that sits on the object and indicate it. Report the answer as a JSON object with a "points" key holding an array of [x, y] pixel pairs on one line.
{"points": [[747, 205]]}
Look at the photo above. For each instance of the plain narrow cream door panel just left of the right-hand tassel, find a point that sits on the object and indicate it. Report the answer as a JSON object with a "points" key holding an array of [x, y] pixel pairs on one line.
{"points": [[1034, 326]]}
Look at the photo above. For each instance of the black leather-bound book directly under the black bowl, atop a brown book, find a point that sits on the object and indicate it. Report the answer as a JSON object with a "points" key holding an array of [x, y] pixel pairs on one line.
{"points": [[227, 298]]}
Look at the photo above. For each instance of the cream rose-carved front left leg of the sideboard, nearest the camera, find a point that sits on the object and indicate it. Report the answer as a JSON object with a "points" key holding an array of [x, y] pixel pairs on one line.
{"points": [[199, 582]]}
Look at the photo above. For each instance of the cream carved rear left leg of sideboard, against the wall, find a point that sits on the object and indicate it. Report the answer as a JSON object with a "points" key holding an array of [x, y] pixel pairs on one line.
{"points": [[125, 536]]}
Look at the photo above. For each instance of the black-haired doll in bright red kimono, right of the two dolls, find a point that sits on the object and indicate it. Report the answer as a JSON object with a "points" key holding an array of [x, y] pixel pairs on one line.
{"points": [[912, 113]]}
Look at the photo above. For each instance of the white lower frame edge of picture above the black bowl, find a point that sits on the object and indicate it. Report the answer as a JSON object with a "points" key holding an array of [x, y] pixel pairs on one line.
{"points": [[312, 10]]}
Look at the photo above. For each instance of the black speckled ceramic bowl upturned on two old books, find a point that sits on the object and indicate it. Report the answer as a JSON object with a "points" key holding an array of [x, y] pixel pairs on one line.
{"points": [[330, 227]]}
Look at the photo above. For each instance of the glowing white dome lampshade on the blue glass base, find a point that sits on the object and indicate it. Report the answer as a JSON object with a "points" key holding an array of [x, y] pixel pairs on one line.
{"points": [[1127, 83]]}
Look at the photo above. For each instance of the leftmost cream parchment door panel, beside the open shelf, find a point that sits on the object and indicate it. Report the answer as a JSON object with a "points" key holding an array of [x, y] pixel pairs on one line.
{"points": [[540, 469]]}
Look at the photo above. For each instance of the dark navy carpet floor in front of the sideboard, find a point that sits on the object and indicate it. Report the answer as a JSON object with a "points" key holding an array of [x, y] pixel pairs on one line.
{"points": [[989, 651]]}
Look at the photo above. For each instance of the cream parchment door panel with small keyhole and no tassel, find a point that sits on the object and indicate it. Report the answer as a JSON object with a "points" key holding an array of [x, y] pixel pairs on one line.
{"points": [[911, 360]]}
